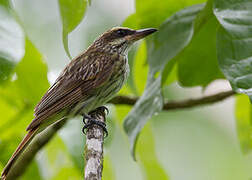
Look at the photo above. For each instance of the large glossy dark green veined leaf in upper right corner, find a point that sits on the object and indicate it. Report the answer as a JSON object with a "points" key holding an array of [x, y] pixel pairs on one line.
{"points": [[234, 43]]}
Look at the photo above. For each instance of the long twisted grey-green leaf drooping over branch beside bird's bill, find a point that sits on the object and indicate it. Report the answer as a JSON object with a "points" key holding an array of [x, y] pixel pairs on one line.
{"points": [[172, 37]]}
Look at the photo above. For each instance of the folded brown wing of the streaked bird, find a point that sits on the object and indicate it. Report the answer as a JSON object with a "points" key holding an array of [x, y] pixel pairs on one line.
{"points": [[75, 83]]}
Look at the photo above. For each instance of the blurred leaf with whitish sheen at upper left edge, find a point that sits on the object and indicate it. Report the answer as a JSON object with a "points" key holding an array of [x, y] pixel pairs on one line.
{"points": [[11, 44]]}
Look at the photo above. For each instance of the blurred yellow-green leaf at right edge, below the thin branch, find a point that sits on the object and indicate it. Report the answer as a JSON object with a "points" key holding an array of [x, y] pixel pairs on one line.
{"points": [[243, 113]]}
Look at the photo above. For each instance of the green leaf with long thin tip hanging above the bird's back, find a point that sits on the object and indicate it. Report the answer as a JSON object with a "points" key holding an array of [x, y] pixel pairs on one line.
{"points": [[72, 12]]}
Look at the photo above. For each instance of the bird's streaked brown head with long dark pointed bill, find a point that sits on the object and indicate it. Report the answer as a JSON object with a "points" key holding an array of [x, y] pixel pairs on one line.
{"points": [[119, 39]]}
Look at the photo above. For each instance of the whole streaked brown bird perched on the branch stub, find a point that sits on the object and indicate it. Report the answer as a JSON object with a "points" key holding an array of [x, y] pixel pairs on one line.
{"points": [[86, 83]]}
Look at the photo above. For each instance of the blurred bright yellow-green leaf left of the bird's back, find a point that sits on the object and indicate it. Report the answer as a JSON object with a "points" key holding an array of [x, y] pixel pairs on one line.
{"points": [[31, 73]]}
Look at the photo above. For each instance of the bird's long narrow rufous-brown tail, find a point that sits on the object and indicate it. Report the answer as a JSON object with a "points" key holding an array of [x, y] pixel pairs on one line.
{"points": [[21, 147]]}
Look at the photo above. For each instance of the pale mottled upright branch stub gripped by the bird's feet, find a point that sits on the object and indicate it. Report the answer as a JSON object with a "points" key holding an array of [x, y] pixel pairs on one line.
{"points": [[94, 149]]}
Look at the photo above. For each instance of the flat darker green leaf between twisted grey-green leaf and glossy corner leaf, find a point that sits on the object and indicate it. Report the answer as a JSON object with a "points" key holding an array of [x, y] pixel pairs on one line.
{"points": [[197, 64]]}
